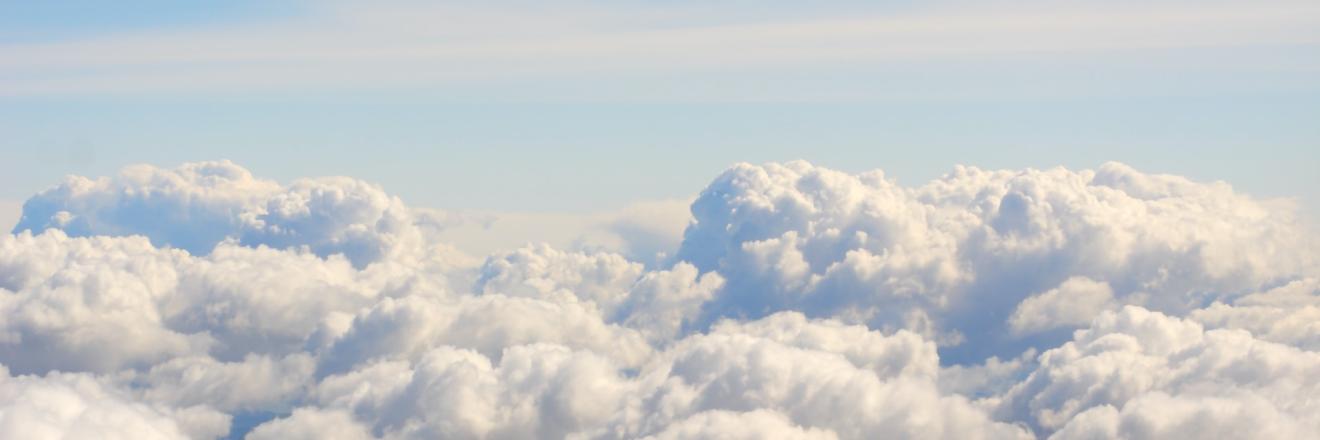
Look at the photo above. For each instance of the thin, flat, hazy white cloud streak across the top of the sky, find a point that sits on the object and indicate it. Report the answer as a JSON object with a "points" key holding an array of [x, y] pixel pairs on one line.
{"points": [[410, 46]]}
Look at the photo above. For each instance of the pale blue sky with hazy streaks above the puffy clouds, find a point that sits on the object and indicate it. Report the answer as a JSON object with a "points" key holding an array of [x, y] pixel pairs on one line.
{"points": [[591, 106]]}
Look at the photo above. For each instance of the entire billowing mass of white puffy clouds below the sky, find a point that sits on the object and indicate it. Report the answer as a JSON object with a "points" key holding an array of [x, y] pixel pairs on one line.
{"points": [[803, 303]]}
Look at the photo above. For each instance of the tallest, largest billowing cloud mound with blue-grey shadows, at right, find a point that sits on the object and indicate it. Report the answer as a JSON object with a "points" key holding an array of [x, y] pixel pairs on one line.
{"points": [[955, 258]]}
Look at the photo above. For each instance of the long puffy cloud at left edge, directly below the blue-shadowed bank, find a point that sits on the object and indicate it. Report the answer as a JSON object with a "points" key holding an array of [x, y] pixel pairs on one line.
{"points": [[104, 305]]}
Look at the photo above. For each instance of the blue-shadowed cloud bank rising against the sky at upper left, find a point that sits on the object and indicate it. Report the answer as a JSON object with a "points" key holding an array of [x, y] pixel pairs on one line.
{"points": [[199, 205]]}
